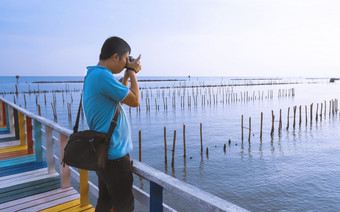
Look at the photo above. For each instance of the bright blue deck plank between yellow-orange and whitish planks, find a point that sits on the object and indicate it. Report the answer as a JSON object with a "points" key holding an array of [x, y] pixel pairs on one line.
{"points": [[5, 171]]}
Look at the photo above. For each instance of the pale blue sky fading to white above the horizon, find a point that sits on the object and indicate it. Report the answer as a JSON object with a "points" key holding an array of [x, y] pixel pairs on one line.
{"points": [[259, 38]]}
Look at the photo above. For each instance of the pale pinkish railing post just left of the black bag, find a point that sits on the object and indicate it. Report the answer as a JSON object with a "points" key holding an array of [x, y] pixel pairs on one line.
{"points": [[64, 170]]}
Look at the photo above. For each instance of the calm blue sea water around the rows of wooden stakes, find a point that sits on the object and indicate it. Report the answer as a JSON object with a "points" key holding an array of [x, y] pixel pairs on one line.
{"points": [[298, 169]]}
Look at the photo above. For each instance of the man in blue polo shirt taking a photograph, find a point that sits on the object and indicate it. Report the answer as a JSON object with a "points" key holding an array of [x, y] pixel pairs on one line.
{"points": [[102, 95]]}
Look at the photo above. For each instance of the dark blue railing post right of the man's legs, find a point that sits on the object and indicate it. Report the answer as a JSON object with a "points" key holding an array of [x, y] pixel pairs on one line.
{"points": [[156, 197]]}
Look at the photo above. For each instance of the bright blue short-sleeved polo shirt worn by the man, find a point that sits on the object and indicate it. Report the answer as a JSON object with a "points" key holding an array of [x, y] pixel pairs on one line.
{"points": [[102, 94]]}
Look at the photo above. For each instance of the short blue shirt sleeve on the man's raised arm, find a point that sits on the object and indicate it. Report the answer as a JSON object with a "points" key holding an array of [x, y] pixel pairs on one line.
{"points": [[113, 89]]}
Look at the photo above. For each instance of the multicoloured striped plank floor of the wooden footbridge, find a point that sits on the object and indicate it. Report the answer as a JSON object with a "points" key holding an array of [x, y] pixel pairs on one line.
{"points": [[26, 183]]}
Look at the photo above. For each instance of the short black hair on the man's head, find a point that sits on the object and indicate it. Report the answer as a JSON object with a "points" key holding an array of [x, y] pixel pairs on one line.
{"points": [[114, 45]]}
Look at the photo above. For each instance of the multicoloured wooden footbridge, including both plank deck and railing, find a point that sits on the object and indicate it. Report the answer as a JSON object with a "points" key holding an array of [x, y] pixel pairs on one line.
{"points": [[29, 183]]}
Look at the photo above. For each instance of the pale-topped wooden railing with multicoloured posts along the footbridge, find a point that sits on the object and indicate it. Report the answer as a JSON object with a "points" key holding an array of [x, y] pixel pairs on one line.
{"points": [[198, 198]]}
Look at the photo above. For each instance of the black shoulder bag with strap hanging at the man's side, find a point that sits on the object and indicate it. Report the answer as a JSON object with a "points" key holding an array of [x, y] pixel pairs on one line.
{"points": [[88, 149]]}
